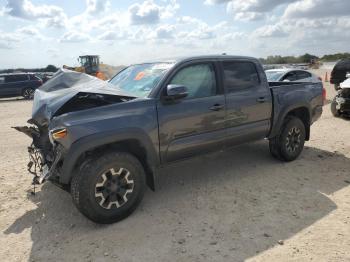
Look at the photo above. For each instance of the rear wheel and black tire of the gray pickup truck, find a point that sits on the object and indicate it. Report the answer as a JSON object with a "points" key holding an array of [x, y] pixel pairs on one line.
{"points": [[288, 145]]}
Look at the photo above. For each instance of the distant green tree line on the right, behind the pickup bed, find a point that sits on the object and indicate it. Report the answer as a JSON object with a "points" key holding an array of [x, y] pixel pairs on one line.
{"points": [[306, 58]]}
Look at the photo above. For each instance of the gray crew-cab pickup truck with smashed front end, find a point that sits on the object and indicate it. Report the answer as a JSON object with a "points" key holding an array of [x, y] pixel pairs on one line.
{"points": [[104, 142]]}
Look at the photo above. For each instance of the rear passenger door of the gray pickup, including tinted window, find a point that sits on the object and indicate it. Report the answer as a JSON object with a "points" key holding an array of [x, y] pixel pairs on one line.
{"points": [[248, 102]]}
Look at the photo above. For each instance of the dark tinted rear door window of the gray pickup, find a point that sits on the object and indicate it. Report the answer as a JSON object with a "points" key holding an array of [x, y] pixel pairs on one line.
{"points": [[240, 75]]}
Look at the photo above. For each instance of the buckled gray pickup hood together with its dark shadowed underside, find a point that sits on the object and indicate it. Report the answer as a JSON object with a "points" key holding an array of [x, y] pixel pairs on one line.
{"points": [[73, 89]]}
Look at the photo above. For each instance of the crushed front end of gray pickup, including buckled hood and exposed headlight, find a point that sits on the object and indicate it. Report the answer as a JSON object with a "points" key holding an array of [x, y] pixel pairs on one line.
{"points": [[66, 92]]}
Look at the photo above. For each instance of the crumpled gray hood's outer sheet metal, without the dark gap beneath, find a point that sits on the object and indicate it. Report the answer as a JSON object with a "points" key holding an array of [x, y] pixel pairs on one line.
{"points": [[64, 86]]}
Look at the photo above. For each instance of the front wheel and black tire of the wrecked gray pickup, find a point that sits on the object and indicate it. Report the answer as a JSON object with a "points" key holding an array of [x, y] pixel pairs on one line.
{"points": [[88, 194]]}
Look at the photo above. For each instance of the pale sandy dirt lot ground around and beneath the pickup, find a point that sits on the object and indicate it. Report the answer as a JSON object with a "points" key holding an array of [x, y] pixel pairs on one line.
{"points": [[231, 206]]}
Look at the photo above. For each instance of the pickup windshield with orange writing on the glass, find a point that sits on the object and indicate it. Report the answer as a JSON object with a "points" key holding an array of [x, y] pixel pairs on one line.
{"points": [[139, 80]]}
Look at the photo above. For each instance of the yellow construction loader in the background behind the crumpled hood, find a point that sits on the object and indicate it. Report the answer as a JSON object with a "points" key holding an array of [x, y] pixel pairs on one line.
{"points": [[89, 64]]}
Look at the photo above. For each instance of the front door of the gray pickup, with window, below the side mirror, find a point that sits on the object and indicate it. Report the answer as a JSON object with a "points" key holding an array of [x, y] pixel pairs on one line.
{"points": [[196, 124]]}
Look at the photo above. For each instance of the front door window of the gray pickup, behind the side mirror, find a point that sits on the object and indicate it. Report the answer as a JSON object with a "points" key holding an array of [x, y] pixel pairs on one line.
{"points": [[199, 79]]}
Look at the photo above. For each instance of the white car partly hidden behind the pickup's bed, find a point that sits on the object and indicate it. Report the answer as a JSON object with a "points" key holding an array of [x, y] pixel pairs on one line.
{"points": [[291, 75]]}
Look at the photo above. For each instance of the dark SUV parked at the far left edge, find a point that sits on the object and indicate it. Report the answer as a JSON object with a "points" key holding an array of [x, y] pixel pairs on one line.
{"points": [[19, 84]]}
